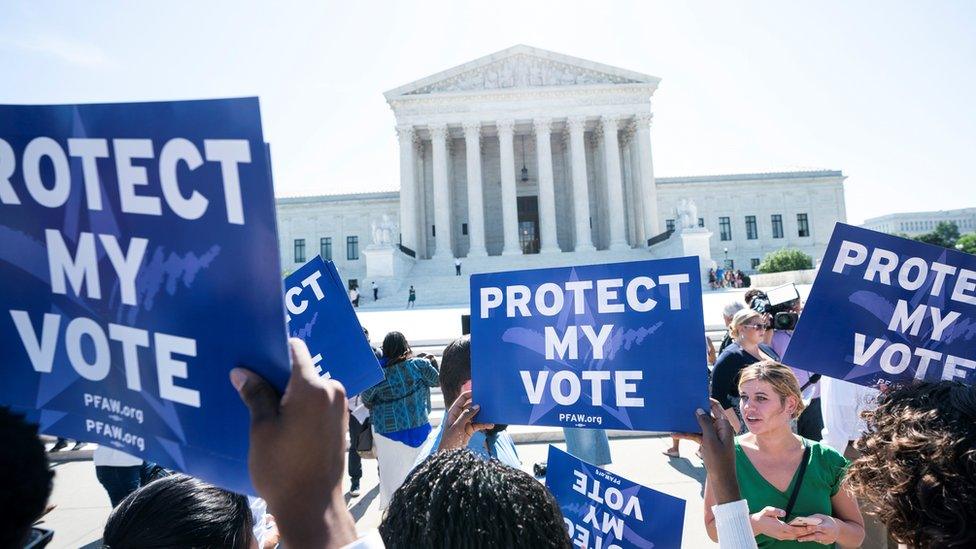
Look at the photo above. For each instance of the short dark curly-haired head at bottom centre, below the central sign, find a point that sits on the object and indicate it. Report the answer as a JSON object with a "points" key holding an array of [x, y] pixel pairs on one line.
{"points": [[455, 499]]}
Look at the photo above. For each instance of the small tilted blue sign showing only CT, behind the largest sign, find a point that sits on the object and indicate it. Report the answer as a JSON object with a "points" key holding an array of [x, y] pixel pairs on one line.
{"points": [[319, 313]]}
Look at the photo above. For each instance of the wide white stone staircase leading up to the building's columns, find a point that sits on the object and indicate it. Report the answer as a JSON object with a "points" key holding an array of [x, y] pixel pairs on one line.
{"points": [[437, 285]]}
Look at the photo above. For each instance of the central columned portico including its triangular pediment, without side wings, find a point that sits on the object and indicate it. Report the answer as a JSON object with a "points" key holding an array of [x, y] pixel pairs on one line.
{"points": [[514, 189]]}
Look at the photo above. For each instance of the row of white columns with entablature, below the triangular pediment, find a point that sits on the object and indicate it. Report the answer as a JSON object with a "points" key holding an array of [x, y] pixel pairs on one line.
{"points": [[450, 209]]}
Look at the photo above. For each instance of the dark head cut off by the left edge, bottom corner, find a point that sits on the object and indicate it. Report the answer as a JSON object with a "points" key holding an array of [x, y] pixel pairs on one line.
{"points": [[24, 478]]}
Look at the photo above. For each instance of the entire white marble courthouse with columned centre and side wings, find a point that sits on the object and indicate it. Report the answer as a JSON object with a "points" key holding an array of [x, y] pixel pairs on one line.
{"points": [[530, 158]]}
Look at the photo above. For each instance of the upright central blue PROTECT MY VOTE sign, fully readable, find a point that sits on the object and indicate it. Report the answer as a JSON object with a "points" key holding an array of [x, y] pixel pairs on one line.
{"points": [[617, 346]]}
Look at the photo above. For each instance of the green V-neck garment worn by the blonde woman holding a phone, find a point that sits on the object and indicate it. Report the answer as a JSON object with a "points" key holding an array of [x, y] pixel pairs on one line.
{"points": [[822, 479]]}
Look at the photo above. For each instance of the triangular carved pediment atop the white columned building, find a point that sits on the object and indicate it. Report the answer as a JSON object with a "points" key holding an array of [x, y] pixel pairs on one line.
{"points": [[521, 67]]}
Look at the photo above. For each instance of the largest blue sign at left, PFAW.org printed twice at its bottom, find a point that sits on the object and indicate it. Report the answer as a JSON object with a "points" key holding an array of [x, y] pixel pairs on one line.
{"points": [[138, 252]]}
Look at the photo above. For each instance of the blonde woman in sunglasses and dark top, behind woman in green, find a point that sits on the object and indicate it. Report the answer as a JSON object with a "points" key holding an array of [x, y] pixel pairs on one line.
{"points": [[747, 330]]}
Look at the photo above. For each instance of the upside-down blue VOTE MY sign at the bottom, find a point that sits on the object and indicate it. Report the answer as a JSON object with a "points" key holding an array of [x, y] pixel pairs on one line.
{"points": [[606, 511]]}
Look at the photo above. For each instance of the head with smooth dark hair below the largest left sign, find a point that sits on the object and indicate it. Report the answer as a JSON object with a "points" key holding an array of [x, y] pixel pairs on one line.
{"points": [[180, 511]]}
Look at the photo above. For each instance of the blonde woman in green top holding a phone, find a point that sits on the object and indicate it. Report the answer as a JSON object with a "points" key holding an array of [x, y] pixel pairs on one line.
{"points": [[794, 487]]}
